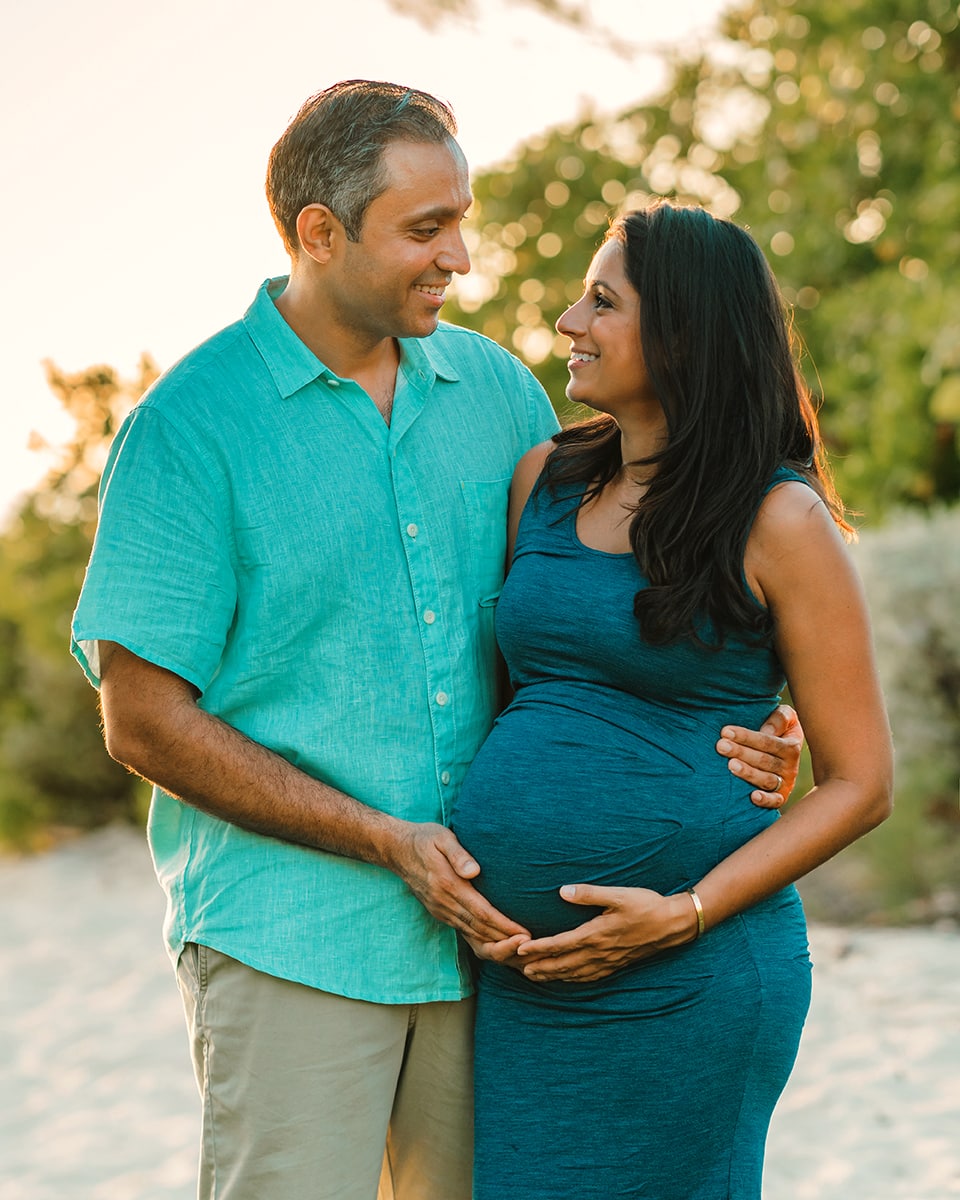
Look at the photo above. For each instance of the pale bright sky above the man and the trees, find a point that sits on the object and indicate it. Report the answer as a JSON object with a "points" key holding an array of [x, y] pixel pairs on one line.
{"points": [[135, 139]]}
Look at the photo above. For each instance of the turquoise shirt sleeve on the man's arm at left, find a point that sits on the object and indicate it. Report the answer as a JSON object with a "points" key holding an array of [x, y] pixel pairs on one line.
{"points": [[160, 580]]}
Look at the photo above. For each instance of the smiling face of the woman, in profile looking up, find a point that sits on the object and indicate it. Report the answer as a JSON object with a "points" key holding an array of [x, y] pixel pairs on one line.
{"points": [[607, 361]]}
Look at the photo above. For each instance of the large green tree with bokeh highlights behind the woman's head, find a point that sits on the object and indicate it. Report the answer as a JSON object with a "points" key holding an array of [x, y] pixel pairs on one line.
{"points": [[829, 128]]}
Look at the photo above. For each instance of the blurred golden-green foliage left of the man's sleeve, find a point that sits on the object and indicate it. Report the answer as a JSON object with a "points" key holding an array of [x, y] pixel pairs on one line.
{"points": [[53, 766]]}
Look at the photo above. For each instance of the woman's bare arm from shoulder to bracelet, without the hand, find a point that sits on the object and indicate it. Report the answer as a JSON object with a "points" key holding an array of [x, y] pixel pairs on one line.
{"points": [[799, 565]]}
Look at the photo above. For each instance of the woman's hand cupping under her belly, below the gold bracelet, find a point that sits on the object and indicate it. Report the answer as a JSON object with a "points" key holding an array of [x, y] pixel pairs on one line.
{"points": [[635, 925]]}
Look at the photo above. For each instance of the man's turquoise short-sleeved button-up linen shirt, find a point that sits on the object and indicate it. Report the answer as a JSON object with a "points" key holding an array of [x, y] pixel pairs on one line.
{"points": [[328, 584]]}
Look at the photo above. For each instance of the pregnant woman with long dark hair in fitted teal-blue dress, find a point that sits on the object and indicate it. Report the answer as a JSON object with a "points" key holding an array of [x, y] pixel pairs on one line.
{"points": [[676, 560]]}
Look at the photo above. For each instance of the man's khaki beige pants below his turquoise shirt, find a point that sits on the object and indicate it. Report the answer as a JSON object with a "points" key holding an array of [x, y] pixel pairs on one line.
{"points": [[309, 1096]]}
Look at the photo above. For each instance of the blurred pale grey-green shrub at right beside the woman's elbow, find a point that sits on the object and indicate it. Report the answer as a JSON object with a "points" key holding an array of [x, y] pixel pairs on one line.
{"points": [[909, 869]]}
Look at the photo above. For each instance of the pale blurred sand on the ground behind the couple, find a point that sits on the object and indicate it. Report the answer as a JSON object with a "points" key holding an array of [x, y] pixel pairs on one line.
{"points": [[98, 1101]]}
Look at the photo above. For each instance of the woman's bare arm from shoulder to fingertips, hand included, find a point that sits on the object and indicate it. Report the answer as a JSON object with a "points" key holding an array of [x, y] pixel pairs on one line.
{"points": [[799, 566]]}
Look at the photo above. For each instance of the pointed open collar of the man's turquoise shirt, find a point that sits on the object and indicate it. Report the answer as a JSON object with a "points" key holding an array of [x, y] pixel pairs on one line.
{"points": [[293, 365]]}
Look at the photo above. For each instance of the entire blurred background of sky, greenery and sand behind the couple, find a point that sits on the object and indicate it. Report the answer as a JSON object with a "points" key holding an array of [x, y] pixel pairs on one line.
{"points": [[133, 225]]}
